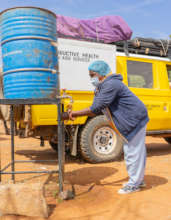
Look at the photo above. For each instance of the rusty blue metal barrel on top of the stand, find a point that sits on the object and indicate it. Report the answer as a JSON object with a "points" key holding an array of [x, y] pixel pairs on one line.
{"points": [[29, 53]]}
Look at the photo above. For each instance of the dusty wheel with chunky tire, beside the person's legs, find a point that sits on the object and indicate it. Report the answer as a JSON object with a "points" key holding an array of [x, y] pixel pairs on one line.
{"points": [[99, 142]]}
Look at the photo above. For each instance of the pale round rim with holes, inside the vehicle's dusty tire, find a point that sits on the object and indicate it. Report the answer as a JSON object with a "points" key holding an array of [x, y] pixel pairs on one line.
{"points": [[104, 140]]}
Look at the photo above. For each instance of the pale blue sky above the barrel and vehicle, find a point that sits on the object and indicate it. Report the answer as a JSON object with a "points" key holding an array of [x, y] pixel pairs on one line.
{"points": [[146, 18]]}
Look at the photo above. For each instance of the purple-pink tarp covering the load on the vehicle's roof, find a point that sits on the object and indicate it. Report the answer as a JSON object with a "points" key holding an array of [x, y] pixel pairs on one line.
{"points": [[106, 29]]}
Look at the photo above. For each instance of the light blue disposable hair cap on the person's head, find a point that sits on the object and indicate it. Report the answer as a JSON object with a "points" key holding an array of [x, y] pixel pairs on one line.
{"points": [[100, 67]]}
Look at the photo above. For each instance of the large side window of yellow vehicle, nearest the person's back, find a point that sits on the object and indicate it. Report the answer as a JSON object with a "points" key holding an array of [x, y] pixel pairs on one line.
{"points": [[139, 74]]}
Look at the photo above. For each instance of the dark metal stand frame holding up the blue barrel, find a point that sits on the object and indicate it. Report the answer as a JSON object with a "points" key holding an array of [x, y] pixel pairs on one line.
{"points": [[60, 135]]}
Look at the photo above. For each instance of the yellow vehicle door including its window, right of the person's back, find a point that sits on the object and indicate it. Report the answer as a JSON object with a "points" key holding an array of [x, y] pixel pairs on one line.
{"points": [[148, 80]]}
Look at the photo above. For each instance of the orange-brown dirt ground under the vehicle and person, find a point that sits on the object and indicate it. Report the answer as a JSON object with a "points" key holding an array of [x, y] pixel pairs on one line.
{"points": [[96, 185]]}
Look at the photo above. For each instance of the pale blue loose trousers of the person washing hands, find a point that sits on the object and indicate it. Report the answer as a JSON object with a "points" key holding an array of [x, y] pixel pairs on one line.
{"points": [[135, 158]]}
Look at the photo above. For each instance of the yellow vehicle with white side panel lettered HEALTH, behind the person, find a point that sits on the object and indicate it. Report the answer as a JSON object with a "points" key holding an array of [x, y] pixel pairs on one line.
{"points": [[147, 76]]}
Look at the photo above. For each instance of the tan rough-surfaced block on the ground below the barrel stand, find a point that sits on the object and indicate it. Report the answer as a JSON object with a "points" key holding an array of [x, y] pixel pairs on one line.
{"points": [[23, 199]]}
